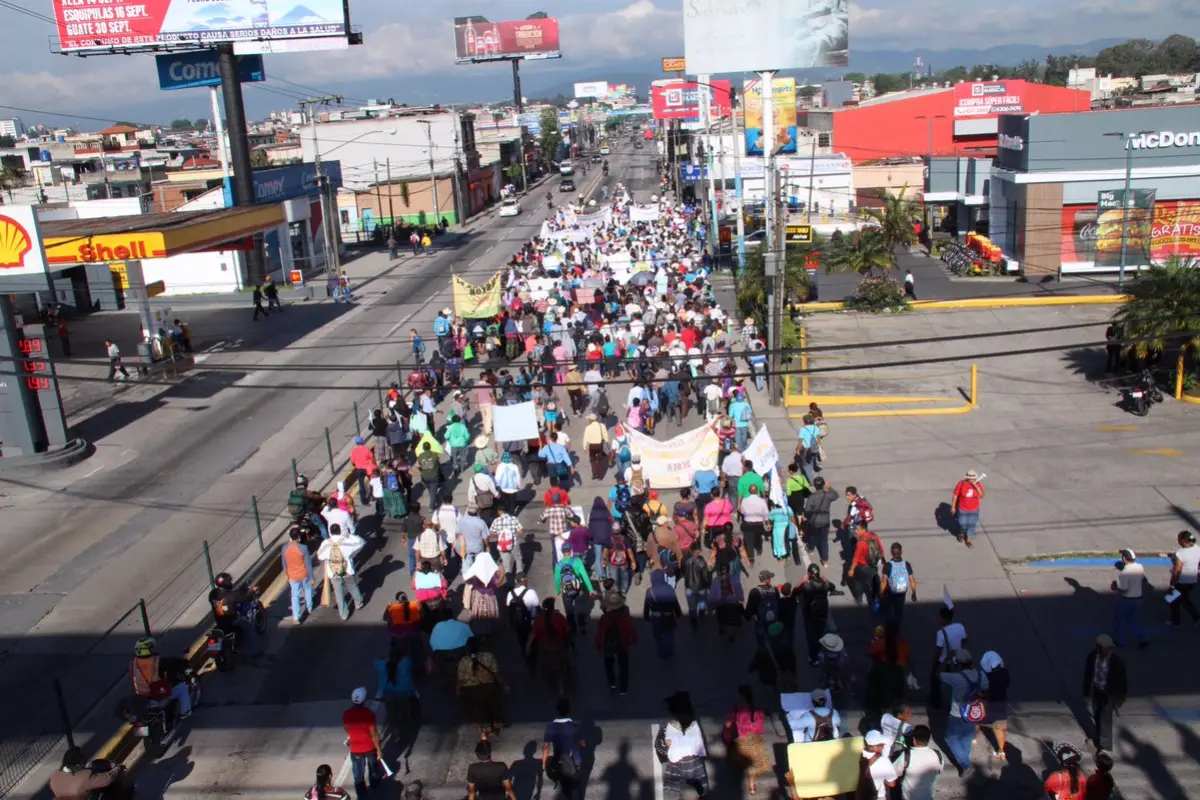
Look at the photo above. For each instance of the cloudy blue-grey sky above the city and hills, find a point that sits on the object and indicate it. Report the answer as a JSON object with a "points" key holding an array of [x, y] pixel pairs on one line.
{"points": [[415, 49]]}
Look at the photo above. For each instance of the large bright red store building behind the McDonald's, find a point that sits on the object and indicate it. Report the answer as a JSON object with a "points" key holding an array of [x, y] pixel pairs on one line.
{"points": [[958, 121]]}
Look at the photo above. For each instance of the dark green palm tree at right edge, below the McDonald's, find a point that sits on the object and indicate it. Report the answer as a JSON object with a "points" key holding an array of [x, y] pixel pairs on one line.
{"points": [[1165, 308]]}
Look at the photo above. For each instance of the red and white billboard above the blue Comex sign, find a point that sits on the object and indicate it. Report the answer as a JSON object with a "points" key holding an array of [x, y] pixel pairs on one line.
{"points": [[123, 25]]}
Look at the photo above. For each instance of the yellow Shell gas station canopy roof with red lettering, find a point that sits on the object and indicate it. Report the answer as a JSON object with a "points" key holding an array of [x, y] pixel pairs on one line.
{"points": [[153, 236]]}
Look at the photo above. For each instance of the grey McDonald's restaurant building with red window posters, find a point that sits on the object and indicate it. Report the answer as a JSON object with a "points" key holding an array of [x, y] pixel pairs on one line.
{"points": [[1058, 202]]}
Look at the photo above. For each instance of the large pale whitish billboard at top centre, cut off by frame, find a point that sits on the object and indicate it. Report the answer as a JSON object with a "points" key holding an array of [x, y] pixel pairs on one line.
{"points": [[740, 37]]}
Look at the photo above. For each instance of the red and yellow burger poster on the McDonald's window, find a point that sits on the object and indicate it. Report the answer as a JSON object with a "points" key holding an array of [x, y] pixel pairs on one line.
{"points": [[1174, 231]]}
